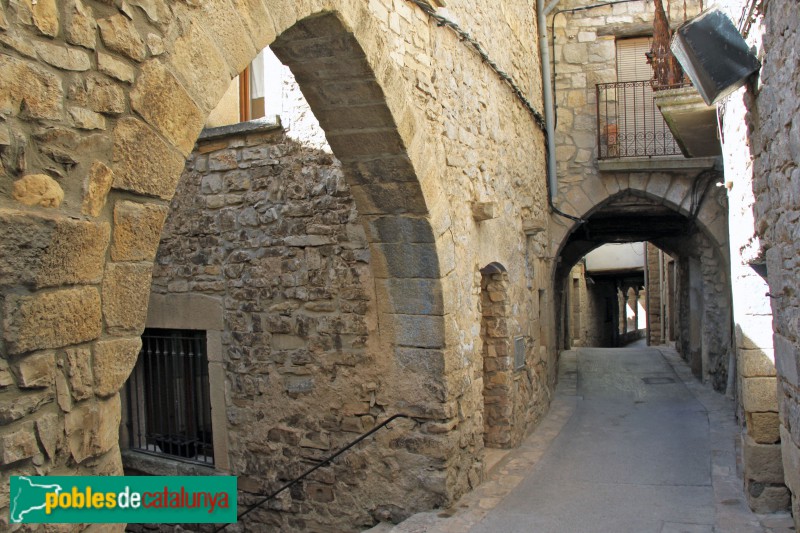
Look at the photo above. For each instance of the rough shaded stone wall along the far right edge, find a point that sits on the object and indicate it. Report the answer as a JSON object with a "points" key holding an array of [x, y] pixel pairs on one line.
{"points": [[776, 186]]}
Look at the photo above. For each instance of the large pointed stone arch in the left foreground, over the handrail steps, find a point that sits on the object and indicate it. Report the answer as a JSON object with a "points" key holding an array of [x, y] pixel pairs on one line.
{"points": [[85, 268]]}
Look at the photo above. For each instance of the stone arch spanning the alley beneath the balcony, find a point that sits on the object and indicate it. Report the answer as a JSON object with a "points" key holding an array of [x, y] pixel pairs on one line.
{"points": [[691, 207]]}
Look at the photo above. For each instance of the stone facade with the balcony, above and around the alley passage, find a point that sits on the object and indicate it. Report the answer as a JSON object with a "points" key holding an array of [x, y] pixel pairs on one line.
{"points": [[585, 54]]}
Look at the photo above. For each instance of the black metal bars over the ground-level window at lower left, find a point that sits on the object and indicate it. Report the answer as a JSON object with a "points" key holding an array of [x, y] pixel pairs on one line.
{"points": [[169, 408]]}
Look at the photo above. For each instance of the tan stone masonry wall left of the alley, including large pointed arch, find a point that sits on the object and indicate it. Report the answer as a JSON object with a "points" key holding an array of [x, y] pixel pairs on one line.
{"points": [[101, 104]]}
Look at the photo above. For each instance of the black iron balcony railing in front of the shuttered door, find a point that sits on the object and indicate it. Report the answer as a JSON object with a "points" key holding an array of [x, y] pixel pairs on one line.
{"points": [[629, 123]]}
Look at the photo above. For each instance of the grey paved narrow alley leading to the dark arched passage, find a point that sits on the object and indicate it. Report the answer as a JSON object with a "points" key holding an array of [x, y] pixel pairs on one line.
{"points": [[633, 443]]}
